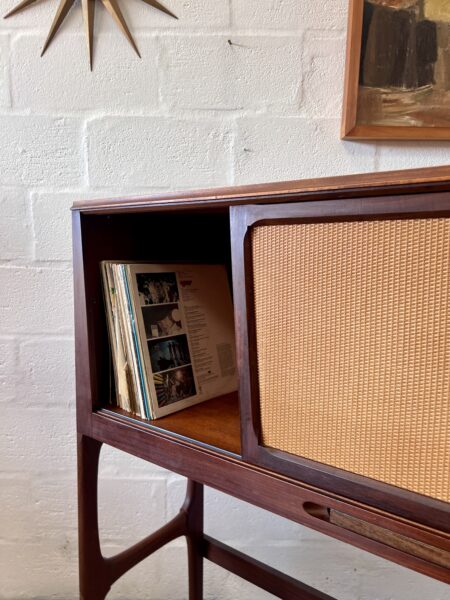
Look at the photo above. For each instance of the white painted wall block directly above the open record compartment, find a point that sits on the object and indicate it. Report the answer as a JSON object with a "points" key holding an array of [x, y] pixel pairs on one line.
{"points": [[157, 151]]}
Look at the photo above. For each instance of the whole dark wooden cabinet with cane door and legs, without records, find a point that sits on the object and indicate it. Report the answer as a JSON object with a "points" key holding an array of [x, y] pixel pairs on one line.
{"points": [[341, 290]]}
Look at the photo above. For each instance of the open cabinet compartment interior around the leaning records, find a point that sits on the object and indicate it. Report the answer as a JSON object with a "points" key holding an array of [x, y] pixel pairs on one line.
{"points": [[154, 237]]}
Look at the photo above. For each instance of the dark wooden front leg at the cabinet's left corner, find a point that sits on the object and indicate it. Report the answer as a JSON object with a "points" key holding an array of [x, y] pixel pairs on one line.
{"points": [[93, 580]]}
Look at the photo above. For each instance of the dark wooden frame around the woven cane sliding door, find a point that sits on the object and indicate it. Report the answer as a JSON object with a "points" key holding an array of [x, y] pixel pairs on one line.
{"points": [[404, 503]]}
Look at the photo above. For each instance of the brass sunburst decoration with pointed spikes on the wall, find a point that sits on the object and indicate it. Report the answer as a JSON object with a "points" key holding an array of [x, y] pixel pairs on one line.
{"points": [[88, 7]]}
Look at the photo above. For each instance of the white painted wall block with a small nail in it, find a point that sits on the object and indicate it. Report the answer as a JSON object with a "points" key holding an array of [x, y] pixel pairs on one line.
{"points": [[208, 73]]}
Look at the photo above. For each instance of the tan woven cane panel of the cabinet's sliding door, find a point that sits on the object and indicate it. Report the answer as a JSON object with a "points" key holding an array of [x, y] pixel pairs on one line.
{"points": [[351, 338]]}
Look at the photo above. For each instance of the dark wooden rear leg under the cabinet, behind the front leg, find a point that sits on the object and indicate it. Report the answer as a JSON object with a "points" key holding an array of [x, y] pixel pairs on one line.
{"points": [[194, 536]]}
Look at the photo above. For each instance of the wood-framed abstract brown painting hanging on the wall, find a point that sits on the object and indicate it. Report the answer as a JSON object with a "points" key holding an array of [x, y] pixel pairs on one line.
{"points": [[397, 83]]}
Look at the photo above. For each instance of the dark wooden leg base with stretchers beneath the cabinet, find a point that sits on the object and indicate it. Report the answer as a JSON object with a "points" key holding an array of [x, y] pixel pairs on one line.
{"points": [[97, 574]]}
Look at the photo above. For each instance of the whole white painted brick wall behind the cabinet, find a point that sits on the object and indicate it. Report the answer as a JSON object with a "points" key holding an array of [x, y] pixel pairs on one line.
{"points": [[194, 111]]}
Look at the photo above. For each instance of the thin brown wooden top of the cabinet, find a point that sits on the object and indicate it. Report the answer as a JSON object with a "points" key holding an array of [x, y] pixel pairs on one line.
{"points": [[380, 183]]}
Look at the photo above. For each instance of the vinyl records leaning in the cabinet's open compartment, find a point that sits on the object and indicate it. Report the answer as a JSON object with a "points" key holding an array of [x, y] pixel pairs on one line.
{"points": [[179, 326]]}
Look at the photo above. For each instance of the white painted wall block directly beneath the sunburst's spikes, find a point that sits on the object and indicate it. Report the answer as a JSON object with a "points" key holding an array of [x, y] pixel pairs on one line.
{"points": [[62, 83]]}
